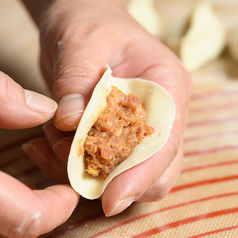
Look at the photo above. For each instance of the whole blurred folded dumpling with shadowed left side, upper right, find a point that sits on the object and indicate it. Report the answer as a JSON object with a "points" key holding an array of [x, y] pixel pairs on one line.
{"points": [[199, 39]]}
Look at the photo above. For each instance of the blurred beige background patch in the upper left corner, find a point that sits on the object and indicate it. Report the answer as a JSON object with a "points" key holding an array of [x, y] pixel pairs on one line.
{"points": [[19, 46]]}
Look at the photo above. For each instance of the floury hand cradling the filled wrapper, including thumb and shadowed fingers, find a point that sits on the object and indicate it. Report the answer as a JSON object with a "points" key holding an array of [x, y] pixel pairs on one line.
{"points": [[77, 41]]}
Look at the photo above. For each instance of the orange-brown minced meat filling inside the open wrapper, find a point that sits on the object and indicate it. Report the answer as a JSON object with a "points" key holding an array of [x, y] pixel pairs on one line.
{"points": [[119, 128]]}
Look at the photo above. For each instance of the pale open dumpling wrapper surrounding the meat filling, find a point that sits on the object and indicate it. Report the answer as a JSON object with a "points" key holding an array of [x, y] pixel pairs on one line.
{"points": [[160, 110]]}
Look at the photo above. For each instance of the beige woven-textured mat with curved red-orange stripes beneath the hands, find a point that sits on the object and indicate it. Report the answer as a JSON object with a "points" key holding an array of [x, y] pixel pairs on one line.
{"points": [[204, 199]]}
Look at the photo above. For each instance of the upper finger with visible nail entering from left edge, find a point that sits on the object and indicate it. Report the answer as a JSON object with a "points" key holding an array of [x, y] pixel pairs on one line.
{"points": [[21, 108]]}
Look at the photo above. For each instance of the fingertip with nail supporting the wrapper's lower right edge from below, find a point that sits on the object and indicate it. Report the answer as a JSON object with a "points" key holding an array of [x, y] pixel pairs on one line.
{"points": [[129, 186]]}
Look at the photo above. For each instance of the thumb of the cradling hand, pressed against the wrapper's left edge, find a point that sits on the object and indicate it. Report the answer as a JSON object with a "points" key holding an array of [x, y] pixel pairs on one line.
{"points": [[77, 73]]}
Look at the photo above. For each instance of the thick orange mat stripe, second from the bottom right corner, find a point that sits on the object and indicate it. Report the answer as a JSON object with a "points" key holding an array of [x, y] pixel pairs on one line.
{"points": [[182, 222]]}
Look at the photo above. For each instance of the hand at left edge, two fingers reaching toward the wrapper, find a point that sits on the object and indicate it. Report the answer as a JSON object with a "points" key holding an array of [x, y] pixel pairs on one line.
{"points": [[26, 212]]}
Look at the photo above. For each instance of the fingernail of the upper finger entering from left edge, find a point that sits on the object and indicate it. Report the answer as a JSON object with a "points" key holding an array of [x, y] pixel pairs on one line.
{"points": [[40, 103]]}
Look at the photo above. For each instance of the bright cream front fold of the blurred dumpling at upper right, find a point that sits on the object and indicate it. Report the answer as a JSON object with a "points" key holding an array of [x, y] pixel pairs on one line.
{"points": [[205, 39]]}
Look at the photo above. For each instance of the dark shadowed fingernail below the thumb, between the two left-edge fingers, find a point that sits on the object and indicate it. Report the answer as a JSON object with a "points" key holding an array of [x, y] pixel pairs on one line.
{"points": [[39, 158]]}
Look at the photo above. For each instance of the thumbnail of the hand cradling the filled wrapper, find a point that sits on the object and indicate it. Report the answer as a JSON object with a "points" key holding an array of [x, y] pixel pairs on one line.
{"points": [[69, 105]]}
